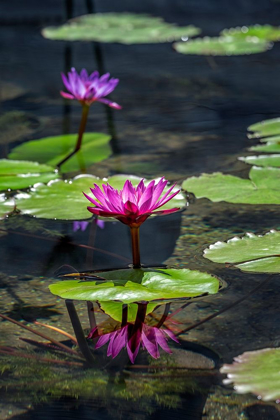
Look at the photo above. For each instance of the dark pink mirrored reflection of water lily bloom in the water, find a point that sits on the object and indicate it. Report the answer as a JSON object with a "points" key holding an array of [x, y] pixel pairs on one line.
{"points": [[151, 338]]}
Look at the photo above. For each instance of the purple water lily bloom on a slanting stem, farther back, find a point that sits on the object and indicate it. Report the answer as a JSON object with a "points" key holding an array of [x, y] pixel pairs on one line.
{"points": [[89, 88]]}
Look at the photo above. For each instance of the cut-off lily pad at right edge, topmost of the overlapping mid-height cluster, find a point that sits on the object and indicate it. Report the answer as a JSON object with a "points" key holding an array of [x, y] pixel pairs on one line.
{"points": [[266, 128]]}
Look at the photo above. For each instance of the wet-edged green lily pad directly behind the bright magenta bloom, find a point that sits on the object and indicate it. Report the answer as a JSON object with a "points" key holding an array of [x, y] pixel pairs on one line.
{"points": [[65, 200]]}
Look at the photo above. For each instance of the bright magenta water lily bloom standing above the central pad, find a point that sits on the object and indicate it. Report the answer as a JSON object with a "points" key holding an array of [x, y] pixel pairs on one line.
{"points": [[131, 205]]}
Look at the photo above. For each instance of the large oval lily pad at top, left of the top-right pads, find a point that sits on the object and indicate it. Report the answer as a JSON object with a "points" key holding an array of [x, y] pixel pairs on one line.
{"points": [[125, 28]]}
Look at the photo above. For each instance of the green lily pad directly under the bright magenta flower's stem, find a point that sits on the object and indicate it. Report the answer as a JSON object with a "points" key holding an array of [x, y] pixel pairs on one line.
{"points": [[136, 285]]}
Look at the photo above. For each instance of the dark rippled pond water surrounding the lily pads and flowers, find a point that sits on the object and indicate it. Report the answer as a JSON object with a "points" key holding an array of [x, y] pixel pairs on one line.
{"points": [[181, 116]]}
